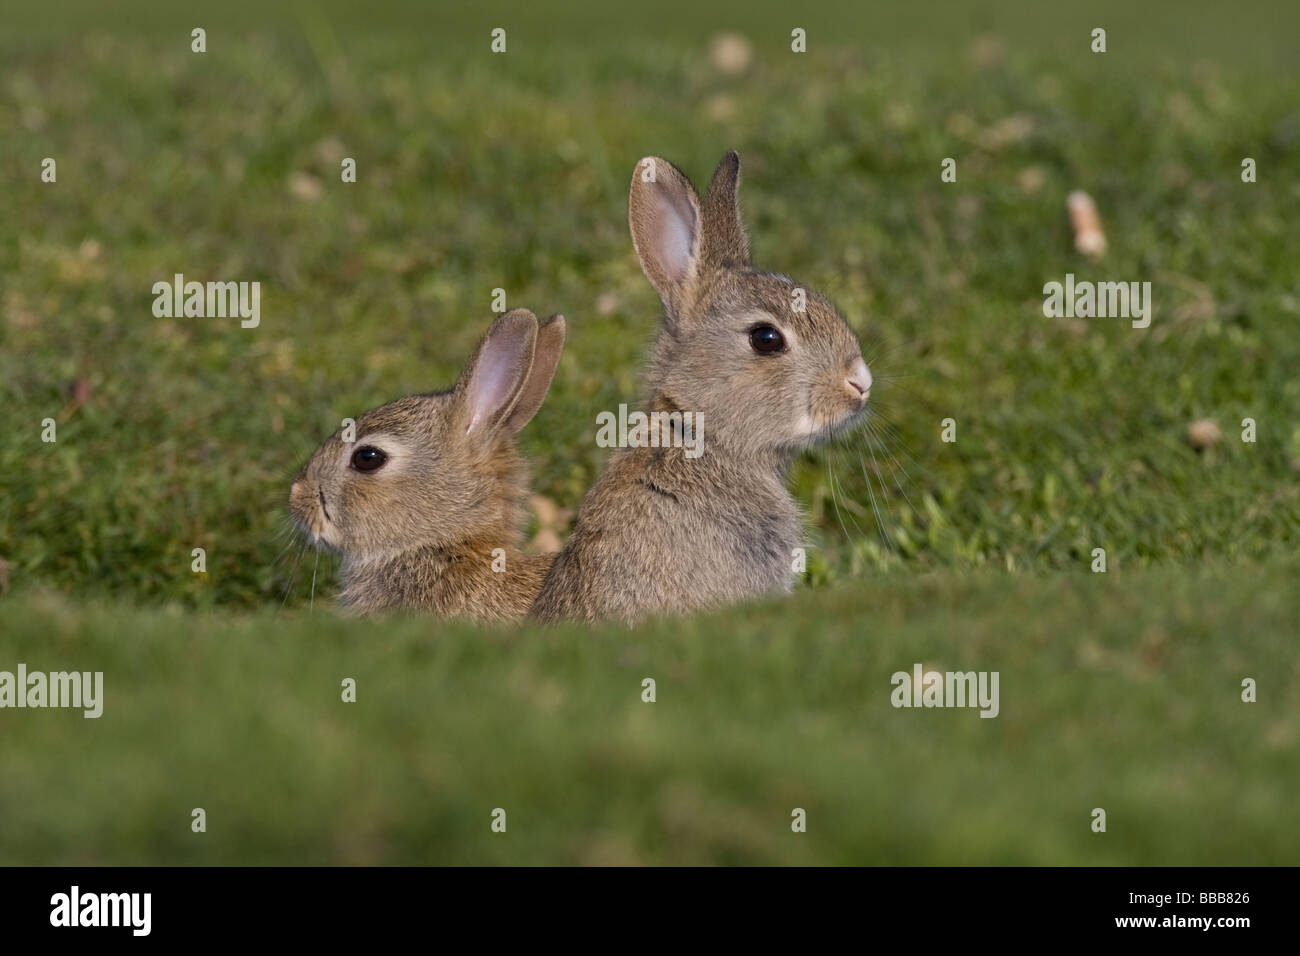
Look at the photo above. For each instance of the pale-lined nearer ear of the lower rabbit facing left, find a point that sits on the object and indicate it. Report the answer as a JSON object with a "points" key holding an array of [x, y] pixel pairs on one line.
{"points": [[496, 378]]}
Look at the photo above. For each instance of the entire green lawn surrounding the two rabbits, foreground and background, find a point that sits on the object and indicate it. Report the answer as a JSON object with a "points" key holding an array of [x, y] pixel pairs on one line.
{"points": [[480, 172]]}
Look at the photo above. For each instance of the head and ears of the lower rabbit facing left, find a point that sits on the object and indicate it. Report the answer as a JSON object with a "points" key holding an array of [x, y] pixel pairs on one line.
{"points": [[436, 470]]}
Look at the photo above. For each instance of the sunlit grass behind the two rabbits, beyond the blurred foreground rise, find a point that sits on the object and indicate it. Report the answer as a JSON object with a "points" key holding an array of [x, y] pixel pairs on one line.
{"points": [[480, 172]]}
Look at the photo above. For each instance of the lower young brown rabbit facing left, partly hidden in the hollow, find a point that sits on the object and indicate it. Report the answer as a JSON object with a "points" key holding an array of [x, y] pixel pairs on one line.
{"points": [[430, 491]]}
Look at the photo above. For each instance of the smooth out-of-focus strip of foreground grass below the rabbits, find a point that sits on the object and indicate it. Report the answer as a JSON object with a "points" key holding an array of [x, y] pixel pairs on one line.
{"points": [[759, 712]]}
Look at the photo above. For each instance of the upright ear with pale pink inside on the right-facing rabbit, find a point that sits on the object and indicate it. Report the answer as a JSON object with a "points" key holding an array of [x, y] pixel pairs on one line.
{"points": [[664, 213]]}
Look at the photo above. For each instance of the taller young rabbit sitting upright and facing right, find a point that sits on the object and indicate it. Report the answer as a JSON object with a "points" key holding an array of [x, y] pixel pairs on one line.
{"points": [[666, 531]]}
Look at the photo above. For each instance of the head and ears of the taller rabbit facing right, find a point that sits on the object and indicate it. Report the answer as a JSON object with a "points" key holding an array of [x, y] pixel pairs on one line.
{"points": [[769, 365]]}
